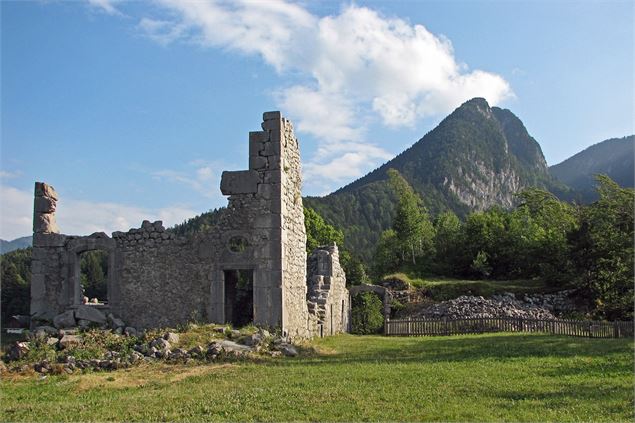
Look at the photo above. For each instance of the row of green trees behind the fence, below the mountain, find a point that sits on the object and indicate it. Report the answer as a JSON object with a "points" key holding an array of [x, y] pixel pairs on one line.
{"points": [[587, 247]]}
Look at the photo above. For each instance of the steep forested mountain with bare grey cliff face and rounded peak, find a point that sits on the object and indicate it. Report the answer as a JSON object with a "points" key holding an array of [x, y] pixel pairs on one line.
{"points": [[477, 157]]}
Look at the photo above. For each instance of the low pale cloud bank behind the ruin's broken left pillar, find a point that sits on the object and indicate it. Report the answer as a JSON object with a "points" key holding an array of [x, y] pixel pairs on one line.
{"points": [[80, 217]]}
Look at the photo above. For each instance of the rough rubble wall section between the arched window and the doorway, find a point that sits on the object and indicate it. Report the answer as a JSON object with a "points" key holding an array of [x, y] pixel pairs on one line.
{"points": [[161, 282]]}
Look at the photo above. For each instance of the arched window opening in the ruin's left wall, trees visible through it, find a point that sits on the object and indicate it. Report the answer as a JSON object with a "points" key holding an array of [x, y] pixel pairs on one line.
{"points": [[93, 276]]}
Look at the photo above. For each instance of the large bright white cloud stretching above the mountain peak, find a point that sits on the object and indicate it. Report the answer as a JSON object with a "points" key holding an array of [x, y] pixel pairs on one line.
{"points": [[352, 68]]}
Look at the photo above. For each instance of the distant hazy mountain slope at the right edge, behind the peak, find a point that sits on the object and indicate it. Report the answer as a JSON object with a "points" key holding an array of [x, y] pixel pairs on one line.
{"points": [[613, 157]]}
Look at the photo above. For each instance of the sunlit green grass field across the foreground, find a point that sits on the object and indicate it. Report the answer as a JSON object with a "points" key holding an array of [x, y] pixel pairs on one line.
{"points": [[495, 377]]}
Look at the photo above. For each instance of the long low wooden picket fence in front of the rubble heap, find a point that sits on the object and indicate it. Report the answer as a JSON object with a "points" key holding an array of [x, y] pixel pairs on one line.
{"points": [[435, 327]]}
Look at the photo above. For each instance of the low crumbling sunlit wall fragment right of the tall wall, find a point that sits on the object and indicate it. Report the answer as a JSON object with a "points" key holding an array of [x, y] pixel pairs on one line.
{"points": [[328, 299]]}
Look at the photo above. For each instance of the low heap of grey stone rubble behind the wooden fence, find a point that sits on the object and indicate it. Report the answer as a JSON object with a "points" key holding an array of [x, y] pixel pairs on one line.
{"points": [[469, 307]]}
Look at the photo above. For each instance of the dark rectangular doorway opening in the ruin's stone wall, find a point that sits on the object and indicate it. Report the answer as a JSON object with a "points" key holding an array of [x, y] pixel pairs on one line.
{"points": [[239, 297]]}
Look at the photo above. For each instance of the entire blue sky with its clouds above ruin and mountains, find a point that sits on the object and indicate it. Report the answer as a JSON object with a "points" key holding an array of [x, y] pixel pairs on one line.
{"points": [[133, 109]]}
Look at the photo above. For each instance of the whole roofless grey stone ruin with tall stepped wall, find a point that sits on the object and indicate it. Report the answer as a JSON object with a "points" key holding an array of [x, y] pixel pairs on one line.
{"points": [[250, 267]]}
